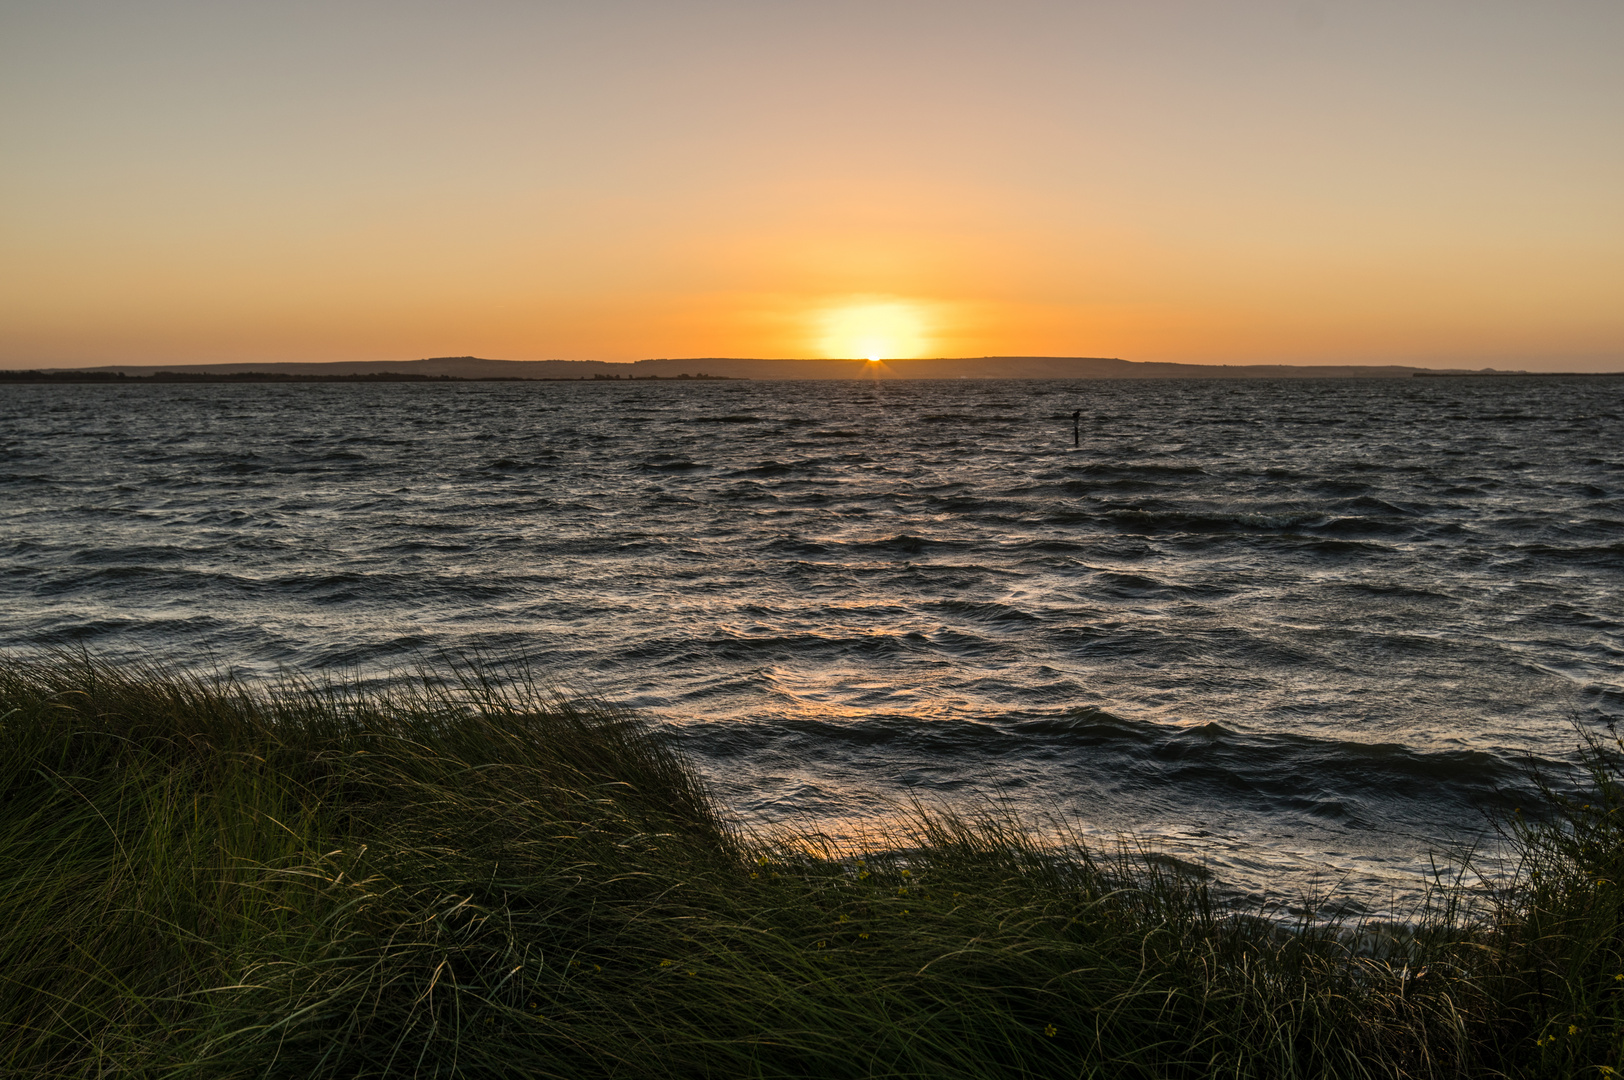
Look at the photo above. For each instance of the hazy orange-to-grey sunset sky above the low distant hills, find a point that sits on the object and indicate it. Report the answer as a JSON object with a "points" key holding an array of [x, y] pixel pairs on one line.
{"points": [[1198, 181]]}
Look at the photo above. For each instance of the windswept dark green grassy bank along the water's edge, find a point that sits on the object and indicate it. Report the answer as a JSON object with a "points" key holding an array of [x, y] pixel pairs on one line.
{"points": [[464, 881]]}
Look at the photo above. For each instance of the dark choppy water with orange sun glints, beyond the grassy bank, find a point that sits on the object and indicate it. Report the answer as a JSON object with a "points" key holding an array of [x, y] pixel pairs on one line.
{"points": [[1292, 628]]}
